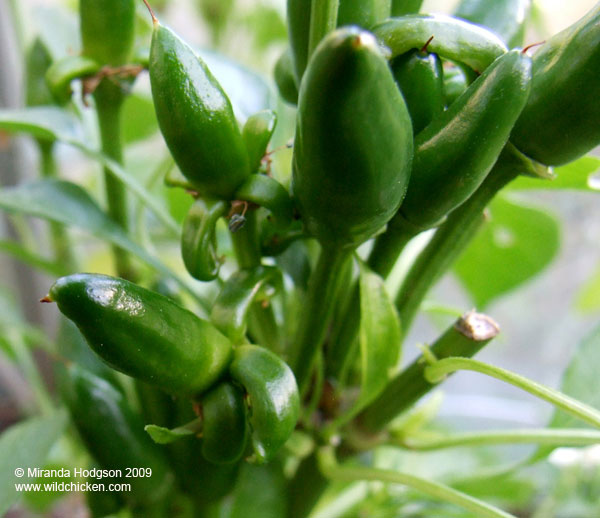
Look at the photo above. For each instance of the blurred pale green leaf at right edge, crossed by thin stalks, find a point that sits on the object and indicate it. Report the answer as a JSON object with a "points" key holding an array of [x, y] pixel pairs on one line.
{"points": [[581, 381]]}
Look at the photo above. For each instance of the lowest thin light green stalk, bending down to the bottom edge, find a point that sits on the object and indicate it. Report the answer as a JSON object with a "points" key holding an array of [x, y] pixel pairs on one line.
{"points": [[333, 470]]}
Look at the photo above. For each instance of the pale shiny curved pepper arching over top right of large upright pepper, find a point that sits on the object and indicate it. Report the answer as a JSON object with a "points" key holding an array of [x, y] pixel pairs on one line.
{"points": [[453, 39]]}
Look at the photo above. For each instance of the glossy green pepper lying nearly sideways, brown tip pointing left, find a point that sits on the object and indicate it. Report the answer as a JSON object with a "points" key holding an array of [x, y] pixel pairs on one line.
{"points": [[144, 334]]}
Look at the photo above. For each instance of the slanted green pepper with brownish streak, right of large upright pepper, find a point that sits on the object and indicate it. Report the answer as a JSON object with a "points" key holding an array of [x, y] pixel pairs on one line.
{"points": [[456, 151]]}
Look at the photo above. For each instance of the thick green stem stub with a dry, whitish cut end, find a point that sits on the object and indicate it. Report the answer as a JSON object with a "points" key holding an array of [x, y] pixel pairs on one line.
{"points": [[461, 339]]}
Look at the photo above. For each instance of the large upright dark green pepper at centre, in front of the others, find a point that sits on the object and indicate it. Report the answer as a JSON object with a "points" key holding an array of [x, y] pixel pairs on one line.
{"points": [[349, 176]]}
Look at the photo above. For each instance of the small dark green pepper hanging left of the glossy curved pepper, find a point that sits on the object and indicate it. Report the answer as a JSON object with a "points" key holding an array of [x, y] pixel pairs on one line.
{"points": [[224, 429]]}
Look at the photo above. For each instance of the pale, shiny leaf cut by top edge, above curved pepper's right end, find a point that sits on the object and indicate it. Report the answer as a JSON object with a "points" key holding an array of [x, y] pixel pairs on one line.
{"points": [[507, 18]]}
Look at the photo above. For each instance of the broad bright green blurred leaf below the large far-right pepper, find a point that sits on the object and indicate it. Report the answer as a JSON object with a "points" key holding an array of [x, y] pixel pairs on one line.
{"points": [[516, 244]]}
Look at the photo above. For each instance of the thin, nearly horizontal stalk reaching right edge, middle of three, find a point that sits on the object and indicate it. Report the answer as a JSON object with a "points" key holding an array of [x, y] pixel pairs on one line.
{"points": [[548, 436]]}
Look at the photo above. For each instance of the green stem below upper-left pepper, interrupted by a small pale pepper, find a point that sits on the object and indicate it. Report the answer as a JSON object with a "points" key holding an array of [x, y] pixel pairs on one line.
{"points": [[262, 323]]}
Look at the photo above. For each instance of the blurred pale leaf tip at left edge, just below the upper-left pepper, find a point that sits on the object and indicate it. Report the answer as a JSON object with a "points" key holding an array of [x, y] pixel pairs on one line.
{"points": [[44, 122]]}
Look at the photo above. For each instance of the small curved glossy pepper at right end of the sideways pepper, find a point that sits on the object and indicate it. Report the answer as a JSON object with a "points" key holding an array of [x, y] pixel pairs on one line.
{"points": [[272, 396]]}
